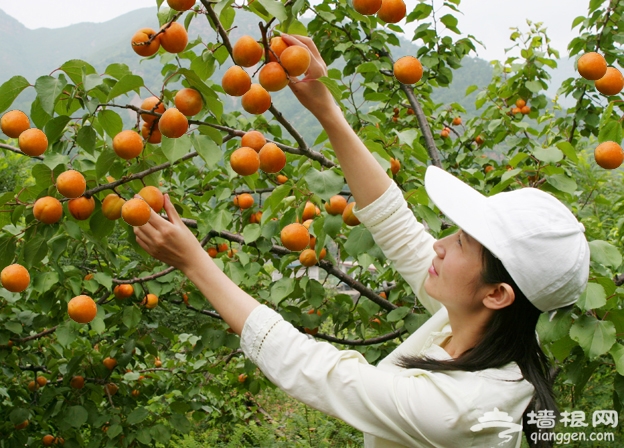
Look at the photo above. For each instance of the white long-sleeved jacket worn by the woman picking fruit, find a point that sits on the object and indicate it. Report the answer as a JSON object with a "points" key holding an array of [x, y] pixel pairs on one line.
{"points": [[394, 407]]}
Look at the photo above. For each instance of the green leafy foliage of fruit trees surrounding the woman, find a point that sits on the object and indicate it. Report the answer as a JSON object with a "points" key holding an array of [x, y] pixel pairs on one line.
{"points": [[80, 110]]}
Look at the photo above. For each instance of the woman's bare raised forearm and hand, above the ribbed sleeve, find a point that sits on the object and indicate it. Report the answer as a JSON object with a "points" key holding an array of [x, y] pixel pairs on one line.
{"points": [[366, 178]]}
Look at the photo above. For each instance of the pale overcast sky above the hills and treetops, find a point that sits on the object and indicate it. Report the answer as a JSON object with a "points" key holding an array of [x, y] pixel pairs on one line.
{"points": [[488, 20]]}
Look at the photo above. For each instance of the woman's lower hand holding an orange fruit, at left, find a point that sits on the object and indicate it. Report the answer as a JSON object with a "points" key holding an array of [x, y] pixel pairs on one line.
{"points": [[169, 241]]}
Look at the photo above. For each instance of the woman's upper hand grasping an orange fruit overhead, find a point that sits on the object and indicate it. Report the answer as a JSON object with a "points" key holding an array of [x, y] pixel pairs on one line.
{"points": [[312, 94]]}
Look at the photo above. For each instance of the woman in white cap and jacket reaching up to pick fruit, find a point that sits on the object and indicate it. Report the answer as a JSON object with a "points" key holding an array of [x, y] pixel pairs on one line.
{"points": [[465, 377]]}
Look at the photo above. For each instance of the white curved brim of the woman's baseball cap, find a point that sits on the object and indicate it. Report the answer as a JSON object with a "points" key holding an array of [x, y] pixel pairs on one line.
{"points": [[461, 203]]}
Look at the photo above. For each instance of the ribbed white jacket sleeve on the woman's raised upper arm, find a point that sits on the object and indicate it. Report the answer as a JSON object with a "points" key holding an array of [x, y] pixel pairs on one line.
{"points": [[402, 239]]}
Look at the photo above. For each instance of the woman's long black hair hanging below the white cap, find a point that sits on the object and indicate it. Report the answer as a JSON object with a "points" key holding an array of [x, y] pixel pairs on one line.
{"points": [[509, 337]]}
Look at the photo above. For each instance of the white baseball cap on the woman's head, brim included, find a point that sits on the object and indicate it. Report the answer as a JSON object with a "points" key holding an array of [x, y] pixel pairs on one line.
{"points": [[539, 241]]}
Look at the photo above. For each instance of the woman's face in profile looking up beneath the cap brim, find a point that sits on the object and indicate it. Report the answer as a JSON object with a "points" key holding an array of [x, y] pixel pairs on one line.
{"points": [[455, 274]]}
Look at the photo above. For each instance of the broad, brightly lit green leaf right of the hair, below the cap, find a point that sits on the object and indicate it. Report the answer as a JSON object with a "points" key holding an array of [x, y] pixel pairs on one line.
{"points": [[594, 336]]}
